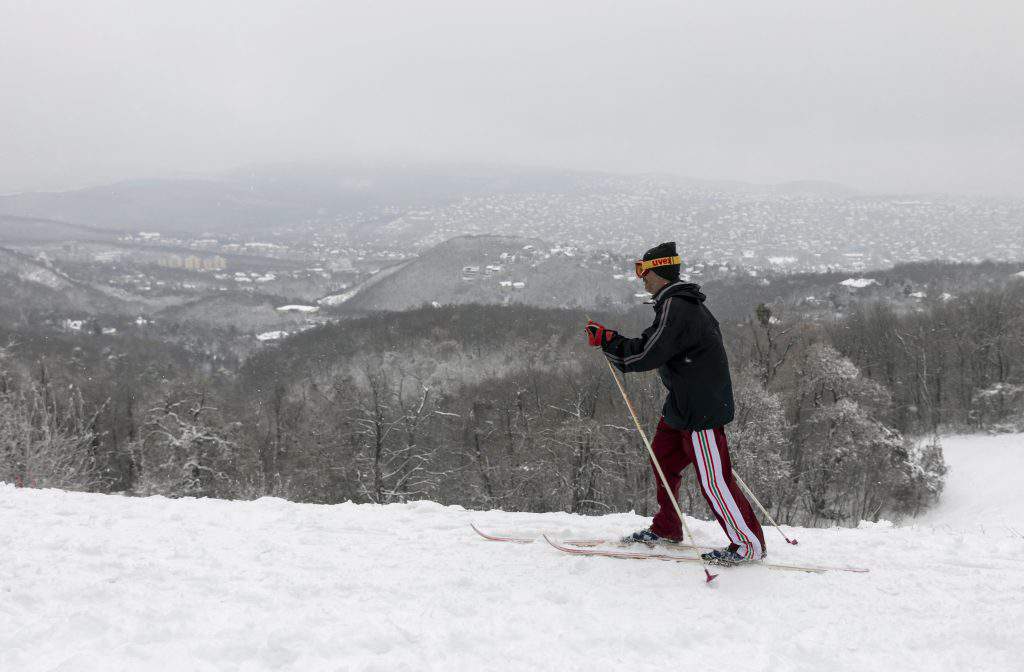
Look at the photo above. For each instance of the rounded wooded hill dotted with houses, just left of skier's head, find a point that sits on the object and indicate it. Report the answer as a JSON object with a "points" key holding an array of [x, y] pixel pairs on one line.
{"points": [[500, 270]]}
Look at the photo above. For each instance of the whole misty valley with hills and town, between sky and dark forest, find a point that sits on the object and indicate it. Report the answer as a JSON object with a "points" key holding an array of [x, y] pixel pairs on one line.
{"points": [[363, 238]]}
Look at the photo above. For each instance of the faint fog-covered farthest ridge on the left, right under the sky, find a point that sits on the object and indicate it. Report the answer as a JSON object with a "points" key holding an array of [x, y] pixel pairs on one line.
{"points": [[272, 197]]}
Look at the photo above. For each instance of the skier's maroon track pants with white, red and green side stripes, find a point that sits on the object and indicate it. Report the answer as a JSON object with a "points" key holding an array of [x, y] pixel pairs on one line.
{"points": [[709, 452]]}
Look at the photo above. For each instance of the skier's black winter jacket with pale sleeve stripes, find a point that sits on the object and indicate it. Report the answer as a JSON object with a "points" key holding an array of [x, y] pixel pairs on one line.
{"points": [[686, 346]]}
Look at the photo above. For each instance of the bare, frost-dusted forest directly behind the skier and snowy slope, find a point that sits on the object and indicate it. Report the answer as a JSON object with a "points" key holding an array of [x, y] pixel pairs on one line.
{"points": [[506, 407]]}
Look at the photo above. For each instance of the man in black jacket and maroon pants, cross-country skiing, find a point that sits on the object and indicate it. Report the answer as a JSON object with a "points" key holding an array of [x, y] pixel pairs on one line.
{"points": [[686, 346]]}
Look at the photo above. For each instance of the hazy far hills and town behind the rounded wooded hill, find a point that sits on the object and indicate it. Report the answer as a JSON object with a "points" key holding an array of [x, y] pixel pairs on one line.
{"points": [[325, 215]]}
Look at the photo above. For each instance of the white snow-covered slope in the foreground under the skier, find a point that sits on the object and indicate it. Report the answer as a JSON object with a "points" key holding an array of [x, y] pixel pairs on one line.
{"points": [[93, 582]]}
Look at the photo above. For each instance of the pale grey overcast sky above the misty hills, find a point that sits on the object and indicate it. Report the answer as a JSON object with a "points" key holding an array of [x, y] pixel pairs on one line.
{"points": [[888, 96]]}
